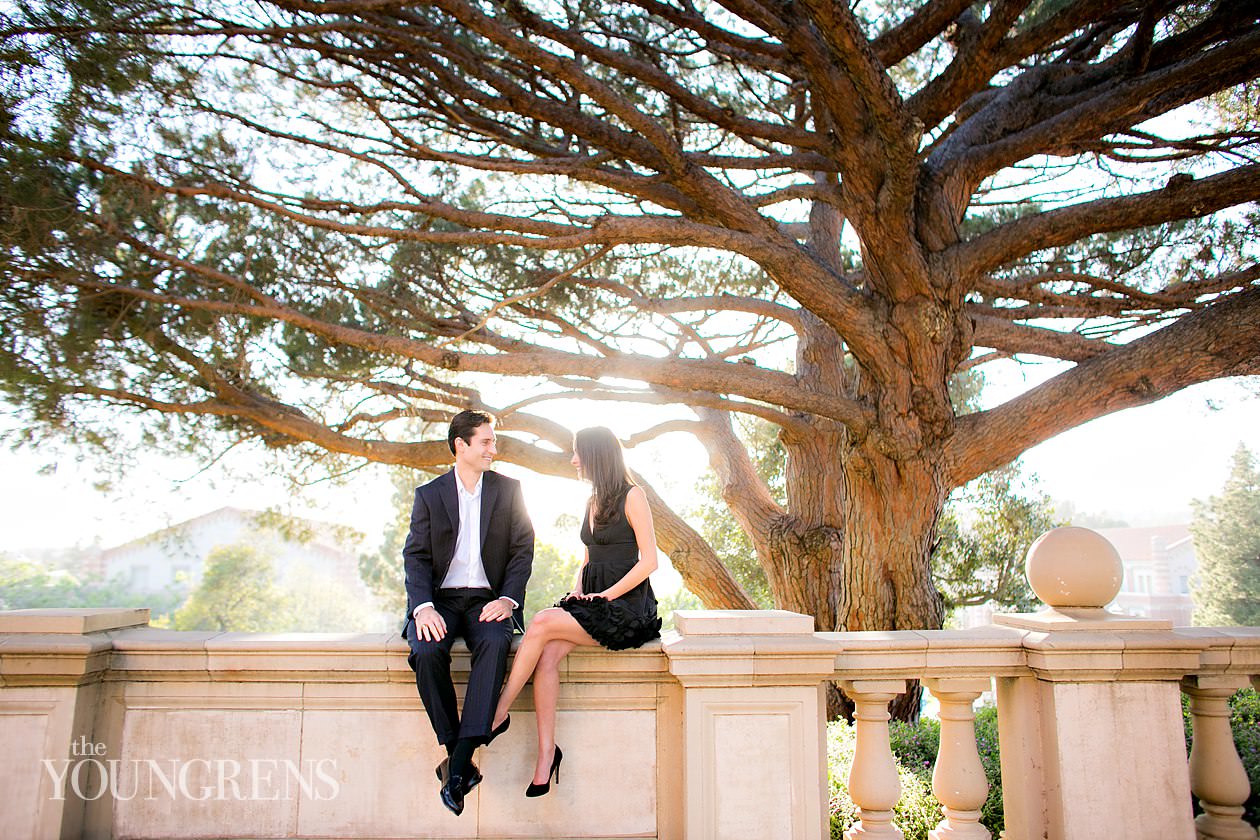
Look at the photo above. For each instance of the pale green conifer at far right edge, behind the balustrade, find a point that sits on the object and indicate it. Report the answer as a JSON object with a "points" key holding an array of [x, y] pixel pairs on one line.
{"points": [[1227, 528]]}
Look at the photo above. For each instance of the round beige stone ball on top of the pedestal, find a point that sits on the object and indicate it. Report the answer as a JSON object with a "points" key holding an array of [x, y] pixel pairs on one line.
{"points": [[1074, 567]]}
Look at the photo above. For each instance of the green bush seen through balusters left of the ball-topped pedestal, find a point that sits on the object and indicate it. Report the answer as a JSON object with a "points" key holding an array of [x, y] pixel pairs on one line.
{"points": [[914, 747]]}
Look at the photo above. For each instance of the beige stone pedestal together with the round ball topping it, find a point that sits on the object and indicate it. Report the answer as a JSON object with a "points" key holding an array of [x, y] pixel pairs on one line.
{"points": [[1104, 696]]}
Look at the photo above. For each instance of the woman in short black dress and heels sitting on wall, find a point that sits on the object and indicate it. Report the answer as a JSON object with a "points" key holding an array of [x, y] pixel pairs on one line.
{"points": [[613, 605]]}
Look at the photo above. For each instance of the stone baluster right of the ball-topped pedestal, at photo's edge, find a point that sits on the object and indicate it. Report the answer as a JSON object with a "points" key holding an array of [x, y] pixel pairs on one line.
{"points": [[1217, 775]]}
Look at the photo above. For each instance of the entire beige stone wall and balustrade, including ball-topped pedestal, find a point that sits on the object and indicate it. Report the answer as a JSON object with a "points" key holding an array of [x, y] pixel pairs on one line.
{"points": [[112, 729]]}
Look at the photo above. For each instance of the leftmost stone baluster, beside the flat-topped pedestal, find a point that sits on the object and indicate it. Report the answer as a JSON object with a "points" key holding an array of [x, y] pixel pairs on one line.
{"points": [[874, 784]]}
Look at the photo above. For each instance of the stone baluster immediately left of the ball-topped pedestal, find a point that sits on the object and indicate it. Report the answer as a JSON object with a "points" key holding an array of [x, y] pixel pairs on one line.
{"points": [[958, 779]]}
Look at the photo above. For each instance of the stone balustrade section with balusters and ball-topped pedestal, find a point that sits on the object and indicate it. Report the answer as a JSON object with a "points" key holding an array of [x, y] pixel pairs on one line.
{"points": [[1089, 712]]}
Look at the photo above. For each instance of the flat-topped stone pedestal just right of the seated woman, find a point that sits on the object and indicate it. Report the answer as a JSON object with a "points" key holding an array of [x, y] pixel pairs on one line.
{"points": [[755, 754]]}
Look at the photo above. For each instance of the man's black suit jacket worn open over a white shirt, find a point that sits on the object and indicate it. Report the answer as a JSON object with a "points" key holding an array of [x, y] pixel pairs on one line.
{"points": [[507, 538]]}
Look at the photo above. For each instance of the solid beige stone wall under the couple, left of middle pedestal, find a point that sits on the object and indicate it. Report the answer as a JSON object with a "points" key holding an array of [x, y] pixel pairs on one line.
{"points": [[232, 735]]}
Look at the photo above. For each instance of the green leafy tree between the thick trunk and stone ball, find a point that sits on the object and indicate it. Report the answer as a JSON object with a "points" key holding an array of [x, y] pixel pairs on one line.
{"points": [[983, 538]]}
